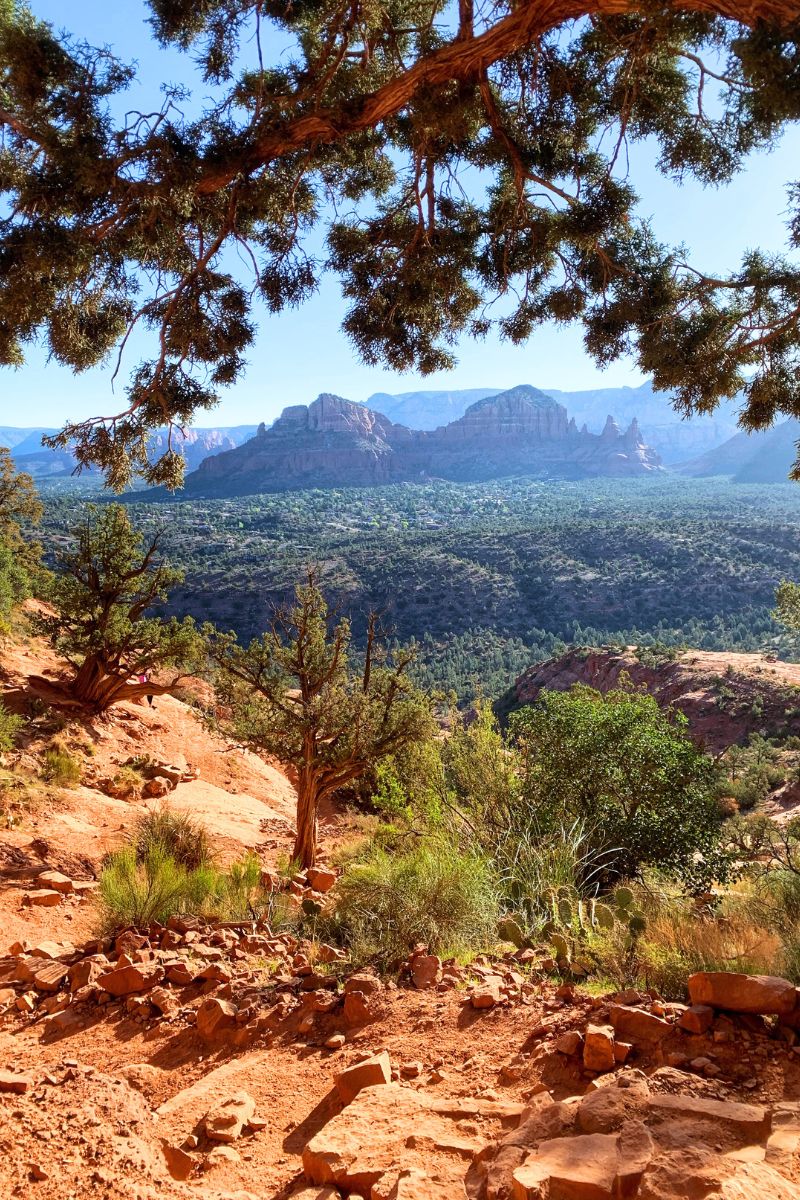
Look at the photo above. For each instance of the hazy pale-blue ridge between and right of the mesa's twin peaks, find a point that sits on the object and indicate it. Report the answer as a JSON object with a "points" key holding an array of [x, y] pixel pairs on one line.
{"points": [[669, 433]]}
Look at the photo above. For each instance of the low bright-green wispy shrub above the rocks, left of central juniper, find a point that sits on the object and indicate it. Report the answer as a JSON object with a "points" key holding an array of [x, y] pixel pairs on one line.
{"points": [[141, 891]]}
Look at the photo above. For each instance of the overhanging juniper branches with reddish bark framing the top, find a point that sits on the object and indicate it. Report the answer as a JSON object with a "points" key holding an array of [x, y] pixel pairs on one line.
{"points": [[452, 155]]}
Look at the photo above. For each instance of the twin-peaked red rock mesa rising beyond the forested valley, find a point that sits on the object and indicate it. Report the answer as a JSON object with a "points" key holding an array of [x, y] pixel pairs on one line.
{"points": [[338, 443]]}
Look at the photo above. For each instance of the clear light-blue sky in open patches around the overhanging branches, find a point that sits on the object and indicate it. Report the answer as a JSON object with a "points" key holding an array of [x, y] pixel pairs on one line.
{"points": [[302, 353]]}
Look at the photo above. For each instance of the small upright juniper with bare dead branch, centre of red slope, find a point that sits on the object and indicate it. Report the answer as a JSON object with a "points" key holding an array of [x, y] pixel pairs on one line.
{"points": [[296, 694]]}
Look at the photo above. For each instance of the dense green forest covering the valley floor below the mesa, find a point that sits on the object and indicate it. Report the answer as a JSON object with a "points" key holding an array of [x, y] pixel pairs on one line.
{"points": [[489, 578]]}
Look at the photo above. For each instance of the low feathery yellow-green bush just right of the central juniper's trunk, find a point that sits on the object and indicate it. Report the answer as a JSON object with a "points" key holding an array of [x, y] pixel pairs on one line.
{"points": [[434, 895]]}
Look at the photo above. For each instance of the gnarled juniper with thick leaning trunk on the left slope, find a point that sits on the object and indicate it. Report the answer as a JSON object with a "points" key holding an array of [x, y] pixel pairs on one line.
{"points": [[103, 595]]}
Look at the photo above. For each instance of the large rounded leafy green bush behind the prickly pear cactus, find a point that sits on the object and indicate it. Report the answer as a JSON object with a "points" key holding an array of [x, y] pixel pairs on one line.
{"points": [[624, 769]]}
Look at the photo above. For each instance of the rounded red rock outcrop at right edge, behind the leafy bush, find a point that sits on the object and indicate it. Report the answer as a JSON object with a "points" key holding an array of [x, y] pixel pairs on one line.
{"points": [[725, 698]]}
